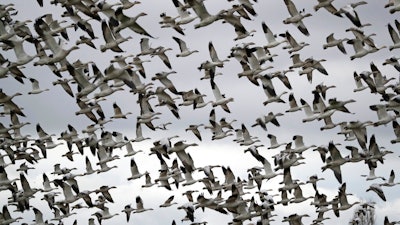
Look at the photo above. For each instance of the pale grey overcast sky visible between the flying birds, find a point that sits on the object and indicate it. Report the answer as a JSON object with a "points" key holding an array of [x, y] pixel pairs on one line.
{"points": [[54, 109]]}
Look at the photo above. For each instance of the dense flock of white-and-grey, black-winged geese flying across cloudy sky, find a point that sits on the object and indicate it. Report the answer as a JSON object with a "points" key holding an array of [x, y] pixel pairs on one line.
{"points": [[247, 200]]}
